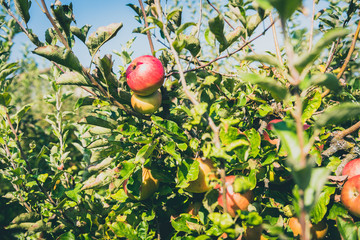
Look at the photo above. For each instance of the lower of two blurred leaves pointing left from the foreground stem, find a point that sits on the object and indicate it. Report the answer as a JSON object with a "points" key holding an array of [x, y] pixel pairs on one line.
{"points": [[275, 88]]}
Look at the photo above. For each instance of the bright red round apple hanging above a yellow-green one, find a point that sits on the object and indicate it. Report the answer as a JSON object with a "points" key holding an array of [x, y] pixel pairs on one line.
{"points": [[145, 75]]}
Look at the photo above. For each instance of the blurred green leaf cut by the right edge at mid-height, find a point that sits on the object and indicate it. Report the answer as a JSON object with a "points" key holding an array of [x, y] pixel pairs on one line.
{"points": [[338, 114]]}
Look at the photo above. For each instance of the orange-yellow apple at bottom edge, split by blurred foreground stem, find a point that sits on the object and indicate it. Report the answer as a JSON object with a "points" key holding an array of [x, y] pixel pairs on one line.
{"points": [[318, 231]]}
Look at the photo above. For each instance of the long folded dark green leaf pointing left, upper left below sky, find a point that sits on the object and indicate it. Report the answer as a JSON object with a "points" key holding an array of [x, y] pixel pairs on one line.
{"points": [[59, 55]]}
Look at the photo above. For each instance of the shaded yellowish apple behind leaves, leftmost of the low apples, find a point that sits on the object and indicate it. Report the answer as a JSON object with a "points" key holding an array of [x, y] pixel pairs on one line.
{"points": [[148, 186]]}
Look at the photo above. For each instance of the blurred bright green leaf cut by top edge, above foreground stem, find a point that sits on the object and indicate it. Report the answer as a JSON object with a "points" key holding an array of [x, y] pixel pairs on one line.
{"points": [[285, 8]]}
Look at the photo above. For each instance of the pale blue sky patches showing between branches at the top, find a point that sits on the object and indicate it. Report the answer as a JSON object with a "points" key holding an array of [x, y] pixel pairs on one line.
{"points": [[101, 13]]}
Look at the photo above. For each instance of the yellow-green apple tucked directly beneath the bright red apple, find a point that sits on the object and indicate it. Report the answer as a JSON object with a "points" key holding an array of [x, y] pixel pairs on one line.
{"points": [[146, 104]]}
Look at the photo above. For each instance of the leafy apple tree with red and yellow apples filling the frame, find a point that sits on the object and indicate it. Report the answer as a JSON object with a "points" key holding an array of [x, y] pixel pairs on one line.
{"points": [[232, 145]]}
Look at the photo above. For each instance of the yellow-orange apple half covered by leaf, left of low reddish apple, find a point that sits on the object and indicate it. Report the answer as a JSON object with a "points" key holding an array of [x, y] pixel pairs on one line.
{"points": [[206, 173]]}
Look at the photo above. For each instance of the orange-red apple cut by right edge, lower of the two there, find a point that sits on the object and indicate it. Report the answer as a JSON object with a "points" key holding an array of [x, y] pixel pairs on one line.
{"points": [[350, 195]]}
